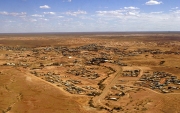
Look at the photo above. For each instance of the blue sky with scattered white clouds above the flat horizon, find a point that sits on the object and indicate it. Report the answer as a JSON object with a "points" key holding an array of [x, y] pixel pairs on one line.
{"points": [[29, 16]]}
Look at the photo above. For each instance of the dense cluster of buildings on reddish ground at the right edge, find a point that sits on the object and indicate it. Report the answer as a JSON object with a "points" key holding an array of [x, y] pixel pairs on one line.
{"points": [[162, 81]]}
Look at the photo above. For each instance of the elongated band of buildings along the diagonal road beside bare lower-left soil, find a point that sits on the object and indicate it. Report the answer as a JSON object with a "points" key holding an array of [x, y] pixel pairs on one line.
{"points": [[69, 85]]}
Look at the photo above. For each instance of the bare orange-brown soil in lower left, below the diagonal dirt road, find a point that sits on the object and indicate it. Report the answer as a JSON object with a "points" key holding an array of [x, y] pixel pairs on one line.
{"points": [[22, 93]]}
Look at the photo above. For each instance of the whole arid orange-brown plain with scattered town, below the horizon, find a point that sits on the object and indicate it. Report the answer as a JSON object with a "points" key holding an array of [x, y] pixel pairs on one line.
{"points": [[90, 73]]}
